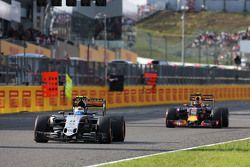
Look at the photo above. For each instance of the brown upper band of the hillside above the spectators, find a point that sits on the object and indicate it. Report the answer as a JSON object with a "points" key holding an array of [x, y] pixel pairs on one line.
{"points": [[169, 23]]}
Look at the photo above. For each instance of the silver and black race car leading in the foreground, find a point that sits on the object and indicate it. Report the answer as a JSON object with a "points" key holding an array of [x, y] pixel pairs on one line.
{"points": [[82, 124]]}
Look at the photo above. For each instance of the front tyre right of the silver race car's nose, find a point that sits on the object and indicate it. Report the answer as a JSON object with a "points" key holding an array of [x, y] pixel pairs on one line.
{"points": [[104, 128]]}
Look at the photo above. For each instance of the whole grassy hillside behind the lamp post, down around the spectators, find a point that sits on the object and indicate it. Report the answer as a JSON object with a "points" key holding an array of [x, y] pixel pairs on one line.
{"points": [[159, 36]]}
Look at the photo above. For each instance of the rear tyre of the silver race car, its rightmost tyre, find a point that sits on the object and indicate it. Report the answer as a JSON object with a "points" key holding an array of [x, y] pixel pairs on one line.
{"points": [[118, 128]]}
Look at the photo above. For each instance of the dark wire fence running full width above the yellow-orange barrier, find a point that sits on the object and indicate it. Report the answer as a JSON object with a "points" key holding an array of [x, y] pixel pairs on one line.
{"points": [[22, 70]]}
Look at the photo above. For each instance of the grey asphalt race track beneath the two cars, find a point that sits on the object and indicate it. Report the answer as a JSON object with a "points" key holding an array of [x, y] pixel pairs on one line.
{"points": [[146, 134]]}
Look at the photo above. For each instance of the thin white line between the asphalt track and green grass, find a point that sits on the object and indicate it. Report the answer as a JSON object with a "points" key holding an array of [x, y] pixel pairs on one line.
{"points": [[150, 155]]}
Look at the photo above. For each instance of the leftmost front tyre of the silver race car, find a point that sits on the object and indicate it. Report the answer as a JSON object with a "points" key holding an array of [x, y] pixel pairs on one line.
{"points": [[41, 126]]}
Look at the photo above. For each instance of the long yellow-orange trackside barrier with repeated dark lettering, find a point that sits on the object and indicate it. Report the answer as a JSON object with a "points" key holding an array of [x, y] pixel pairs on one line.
{"points": [[30, 98]]}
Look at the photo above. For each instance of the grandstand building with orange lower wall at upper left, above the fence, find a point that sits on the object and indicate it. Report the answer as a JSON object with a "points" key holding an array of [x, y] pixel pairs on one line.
{"points": [[62, 32]]}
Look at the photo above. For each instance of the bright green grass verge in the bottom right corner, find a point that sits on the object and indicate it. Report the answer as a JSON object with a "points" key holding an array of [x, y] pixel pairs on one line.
{"points": [[228, 155]]}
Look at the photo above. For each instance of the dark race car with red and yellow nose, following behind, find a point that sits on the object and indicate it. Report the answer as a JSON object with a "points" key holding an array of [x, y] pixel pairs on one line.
{"points": [[199, 113]]}
